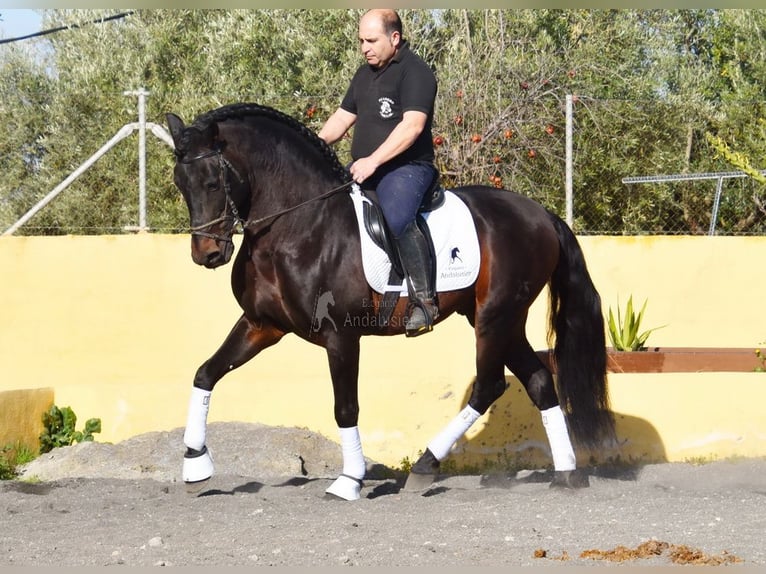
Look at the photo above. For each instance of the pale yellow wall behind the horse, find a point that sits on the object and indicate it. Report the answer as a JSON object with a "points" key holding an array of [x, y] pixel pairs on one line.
{"points": [[118, 326]]}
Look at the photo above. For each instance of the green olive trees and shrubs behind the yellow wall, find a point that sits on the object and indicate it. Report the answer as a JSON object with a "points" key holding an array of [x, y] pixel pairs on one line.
{"points": [[649, 86]]}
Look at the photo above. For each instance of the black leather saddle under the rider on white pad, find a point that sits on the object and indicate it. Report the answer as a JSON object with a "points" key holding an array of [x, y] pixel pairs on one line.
{"points": [[375, 225]]}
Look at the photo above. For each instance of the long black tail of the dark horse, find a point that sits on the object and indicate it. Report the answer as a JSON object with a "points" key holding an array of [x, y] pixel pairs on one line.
{"points": [[580, 349]]}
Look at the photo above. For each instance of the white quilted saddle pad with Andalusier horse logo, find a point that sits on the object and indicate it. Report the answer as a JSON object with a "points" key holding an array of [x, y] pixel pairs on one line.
{"points": [[455, 243]]}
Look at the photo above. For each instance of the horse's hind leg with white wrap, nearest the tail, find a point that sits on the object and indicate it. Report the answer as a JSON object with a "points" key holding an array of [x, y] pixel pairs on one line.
{"points": [[538, 382]]}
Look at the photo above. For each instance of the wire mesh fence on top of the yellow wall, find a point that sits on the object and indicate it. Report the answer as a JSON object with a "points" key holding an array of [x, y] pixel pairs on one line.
{"points": [[636, 169]]}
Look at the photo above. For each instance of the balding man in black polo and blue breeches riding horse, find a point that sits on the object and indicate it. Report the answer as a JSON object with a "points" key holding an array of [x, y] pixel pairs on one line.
{"points": [[391, 102]]}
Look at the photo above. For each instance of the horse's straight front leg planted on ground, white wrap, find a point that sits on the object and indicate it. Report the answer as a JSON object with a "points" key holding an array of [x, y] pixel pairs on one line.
{"points": [[343, 357]]}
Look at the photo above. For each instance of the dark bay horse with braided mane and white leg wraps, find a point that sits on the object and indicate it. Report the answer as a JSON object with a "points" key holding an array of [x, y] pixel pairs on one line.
{"points": [[251, 169]]}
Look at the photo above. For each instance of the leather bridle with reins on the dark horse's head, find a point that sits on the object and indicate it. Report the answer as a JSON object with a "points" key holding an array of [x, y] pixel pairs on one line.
{"points": [[236, 220]]}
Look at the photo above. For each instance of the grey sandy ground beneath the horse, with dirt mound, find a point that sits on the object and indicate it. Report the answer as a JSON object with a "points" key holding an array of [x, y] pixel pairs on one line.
{"points": [[100, 504]]}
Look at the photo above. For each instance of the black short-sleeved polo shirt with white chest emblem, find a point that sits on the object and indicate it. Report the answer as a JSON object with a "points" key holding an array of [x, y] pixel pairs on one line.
{"points": [[379, 99]]}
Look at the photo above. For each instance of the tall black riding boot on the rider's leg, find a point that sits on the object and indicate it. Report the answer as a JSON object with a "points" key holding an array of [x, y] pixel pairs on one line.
{"points": [[414, 252]]}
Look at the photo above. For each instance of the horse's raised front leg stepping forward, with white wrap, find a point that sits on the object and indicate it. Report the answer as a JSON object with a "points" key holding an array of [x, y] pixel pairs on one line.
{"points": [[245, 340]]}
